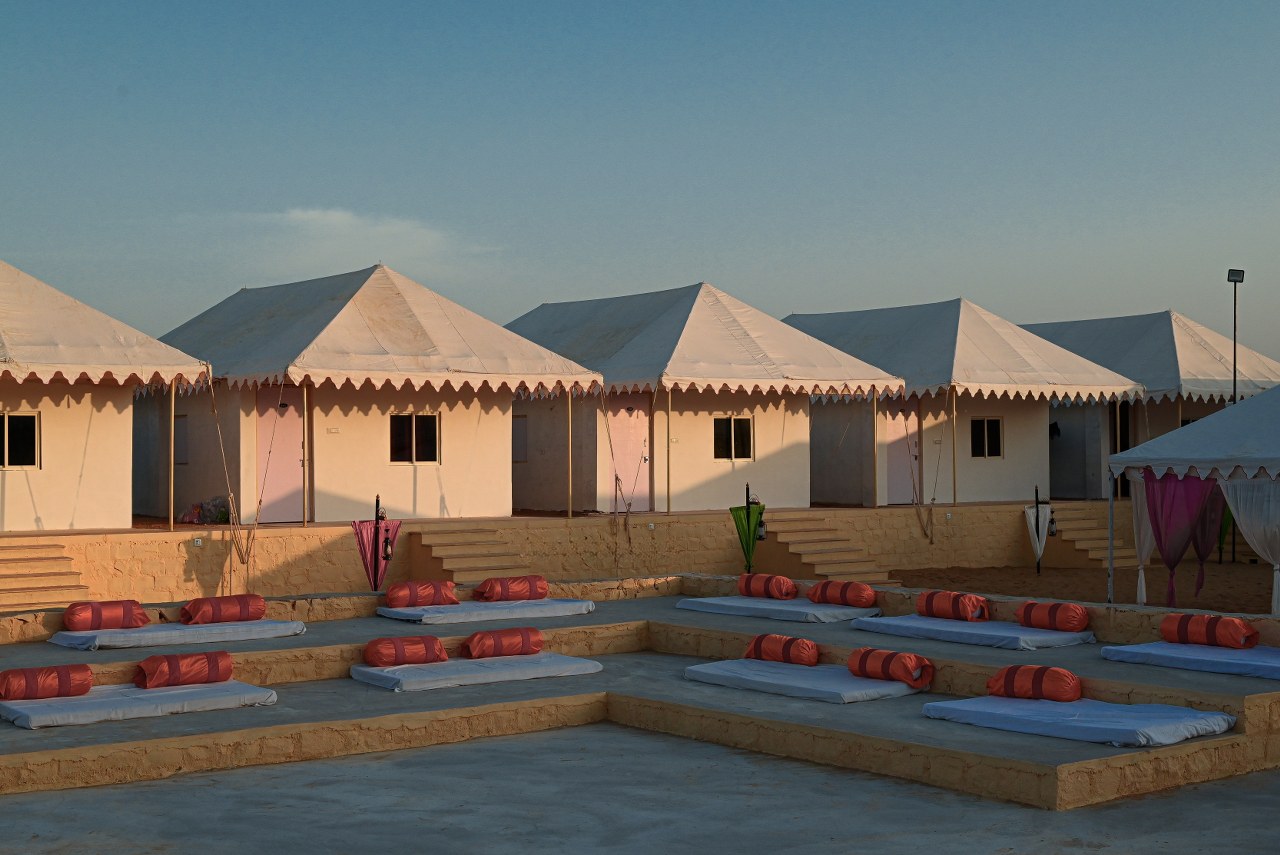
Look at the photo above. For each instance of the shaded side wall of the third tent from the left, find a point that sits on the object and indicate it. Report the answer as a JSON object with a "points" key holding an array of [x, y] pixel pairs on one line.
{"points": [[540, 483]]}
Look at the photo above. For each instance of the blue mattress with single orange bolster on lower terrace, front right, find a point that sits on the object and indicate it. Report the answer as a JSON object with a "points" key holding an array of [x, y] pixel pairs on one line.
{"points": [[1086, 721]]}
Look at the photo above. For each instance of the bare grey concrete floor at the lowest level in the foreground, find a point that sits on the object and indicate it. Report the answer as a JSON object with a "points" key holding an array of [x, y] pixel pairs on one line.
{"points": [[606, 788]]}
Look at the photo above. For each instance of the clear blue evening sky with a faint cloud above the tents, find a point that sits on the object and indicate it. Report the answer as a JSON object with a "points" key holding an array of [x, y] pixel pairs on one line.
{"points": [[1046, 161]]}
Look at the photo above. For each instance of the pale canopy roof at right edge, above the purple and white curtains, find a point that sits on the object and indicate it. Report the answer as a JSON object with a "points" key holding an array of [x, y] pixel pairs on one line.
{"points": [[1244, 436]]}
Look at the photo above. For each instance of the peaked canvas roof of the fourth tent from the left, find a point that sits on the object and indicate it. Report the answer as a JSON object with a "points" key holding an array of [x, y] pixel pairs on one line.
{"points": [[936, 346]]}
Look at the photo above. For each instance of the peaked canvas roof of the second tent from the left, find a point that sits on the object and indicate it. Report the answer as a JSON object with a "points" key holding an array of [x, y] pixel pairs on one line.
{"points": [[372, 326]]}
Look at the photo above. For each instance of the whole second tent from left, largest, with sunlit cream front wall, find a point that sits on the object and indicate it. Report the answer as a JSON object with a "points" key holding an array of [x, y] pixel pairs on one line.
{"points": [[367, 383]]}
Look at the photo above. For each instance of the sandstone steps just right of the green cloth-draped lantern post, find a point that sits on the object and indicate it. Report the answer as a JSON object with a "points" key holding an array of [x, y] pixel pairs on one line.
{"points": [[804, 546]]}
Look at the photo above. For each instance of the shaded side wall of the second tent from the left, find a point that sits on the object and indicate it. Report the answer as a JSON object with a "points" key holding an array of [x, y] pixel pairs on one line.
{"points": [[203, 478]]}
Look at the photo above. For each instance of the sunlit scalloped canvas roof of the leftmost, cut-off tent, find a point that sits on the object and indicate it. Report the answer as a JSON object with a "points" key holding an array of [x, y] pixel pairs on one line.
{"points": [[49, 336]]}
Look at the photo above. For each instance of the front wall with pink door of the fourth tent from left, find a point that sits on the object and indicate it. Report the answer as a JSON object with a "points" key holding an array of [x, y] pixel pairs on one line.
{"points": [[1012, 477]]}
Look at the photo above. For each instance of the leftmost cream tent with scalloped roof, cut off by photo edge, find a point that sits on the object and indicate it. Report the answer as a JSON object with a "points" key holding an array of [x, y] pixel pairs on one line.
{"points": [[68, 376]]}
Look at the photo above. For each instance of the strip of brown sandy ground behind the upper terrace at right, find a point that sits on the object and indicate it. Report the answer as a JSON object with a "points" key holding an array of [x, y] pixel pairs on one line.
{"points": [[1228, 588]]}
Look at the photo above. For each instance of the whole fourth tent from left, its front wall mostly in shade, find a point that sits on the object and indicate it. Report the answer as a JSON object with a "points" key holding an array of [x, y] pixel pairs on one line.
{"points": [[963, 364]]}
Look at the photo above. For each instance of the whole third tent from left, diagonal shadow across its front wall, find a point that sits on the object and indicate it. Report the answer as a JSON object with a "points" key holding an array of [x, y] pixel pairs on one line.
{"points": [[680, 365]]}
